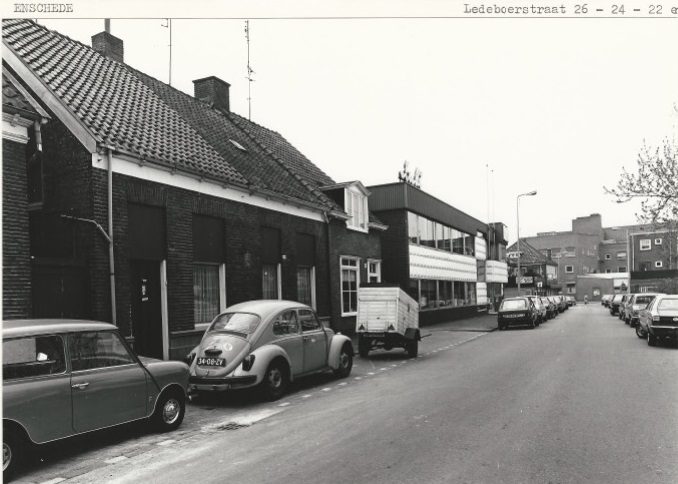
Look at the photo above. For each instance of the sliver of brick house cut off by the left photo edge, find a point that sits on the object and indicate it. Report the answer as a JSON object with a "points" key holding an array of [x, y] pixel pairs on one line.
{"points": [[22, 119]]}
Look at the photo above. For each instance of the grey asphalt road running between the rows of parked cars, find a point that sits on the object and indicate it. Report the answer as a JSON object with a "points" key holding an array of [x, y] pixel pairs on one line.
{"points": [[579, 399]]}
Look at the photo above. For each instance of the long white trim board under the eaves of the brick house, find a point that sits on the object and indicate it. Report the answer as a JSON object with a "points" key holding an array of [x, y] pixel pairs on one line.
{"points": [[125, 166]]}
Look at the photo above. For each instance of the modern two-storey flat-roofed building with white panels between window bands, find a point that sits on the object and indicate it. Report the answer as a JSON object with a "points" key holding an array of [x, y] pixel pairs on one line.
{"points": [[437, 253]]}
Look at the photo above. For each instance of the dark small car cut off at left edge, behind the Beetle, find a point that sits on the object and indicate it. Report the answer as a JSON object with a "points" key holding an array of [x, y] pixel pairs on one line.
{"points": [[67, 377]]}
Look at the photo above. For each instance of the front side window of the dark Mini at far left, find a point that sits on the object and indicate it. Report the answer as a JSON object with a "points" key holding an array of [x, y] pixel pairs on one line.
{"points": [[97, 350]]}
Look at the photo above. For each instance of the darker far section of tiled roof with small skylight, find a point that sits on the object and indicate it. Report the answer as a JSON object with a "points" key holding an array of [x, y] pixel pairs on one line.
{"points": [[265, 161]]}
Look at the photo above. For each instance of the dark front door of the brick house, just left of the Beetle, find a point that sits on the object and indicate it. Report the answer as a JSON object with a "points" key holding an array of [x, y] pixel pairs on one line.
{"points": [[146, 308]]}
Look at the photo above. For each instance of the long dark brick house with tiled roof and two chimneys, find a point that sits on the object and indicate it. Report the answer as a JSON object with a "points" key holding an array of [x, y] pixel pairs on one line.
{"points": [[159, 209]]}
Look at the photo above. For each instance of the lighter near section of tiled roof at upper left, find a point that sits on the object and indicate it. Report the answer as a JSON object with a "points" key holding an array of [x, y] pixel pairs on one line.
{"points": [[118, 109]]}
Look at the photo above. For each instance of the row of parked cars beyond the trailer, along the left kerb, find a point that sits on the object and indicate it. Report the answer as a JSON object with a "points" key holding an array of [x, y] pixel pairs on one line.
{"points": [[531, 311]]}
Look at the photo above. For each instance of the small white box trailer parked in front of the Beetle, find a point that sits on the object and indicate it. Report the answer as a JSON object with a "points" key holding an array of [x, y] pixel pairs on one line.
{"points": [[387, 318]]}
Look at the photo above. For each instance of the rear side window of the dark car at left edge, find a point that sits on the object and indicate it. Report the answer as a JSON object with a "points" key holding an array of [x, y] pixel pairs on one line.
{"points": [[33, 356]]}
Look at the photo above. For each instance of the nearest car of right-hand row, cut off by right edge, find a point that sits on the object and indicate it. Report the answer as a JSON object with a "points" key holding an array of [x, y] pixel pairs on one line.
{"points": [[659, 321]]}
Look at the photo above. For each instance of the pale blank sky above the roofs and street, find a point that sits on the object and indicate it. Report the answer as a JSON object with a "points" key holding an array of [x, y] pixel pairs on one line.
{"points": [[486, 108]]}
